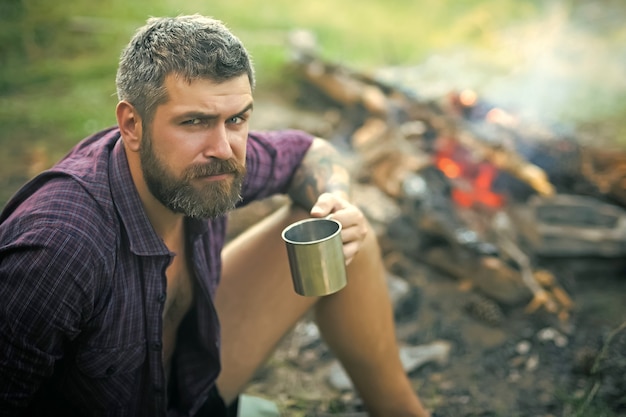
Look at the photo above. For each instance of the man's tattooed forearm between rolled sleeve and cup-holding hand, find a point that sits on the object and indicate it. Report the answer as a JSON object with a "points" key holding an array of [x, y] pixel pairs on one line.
{"points": [[322, 171]]}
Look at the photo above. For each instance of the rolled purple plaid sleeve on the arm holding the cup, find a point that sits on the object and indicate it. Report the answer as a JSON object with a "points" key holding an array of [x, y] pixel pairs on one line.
{"points": [[271, 160]]}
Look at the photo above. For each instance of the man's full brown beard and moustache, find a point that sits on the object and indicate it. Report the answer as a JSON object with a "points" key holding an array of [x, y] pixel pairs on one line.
{"points": [[206, 201]]}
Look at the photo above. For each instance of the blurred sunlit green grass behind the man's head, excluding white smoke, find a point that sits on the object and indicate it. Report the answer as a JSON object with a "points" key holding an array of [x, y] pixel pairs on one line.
{"points": [[68, 52]]}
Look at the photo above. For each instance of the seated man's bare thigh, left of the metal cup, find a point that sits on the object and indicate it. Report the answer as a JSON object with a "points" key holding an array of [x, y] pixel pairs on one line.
{"points": [[255, 300]]}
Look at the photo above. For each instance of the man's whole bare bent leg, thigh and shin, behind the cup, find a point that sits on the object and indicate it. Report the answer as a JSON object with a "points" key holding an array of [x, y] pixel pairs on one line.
{"points": [[257, 306]]}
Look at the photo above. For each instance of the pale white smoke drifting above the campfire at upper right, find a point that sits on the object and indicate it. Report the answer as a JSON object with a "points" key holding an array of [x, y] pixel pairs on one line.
{"points": [[567, 65]]}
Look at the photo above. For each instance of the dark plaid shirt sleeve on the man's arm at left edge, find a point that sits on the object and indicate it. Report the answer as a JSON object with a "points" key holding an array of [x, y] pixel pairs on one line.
{"points": [[46, 271]]}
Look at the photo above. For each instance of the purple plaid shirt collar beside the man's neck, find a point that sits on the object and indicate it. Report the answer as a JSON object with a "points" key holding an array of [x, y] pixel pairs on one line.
{"points": [[143, 239]]}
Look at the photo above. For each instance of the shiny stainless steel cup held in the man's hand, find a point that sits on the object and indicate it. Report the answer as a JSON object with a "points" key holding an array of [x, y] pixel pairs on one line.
{"points": [[316, 256]]}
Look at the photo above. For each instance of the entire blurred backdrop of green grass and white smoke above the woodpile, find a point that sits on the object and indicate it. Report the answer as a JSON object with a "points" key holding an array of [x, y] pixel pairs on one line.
{"points": [[562, 60]]}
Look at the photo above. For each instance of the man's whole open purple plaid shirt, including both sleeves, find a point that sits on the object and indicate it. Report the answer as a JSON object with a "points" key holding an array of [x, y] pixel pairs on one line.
{"points": [[82, 284]]}
